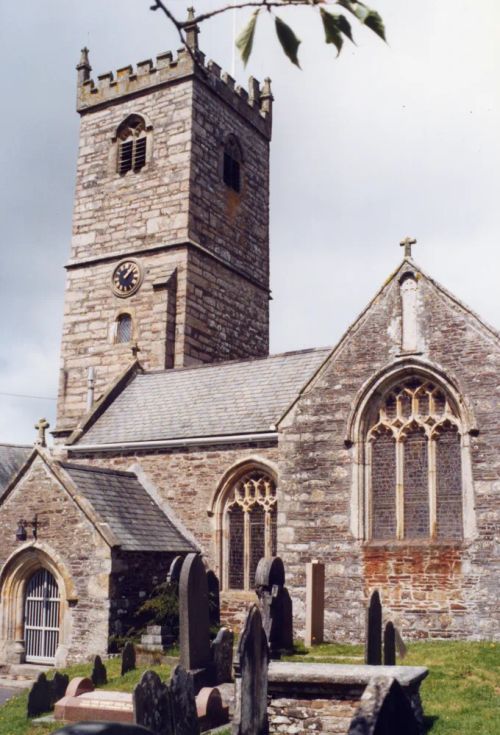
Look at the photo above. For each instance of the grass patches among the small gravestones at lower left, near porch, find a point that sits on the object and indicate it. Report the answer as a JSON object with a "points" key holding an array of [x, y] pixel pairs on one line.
{"points": [[13, 720]]}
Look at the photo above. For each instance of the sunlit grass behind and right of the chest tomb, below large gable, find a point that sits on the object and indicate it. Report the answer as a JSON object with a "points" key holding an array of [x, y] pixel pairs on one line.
{"points": [[461, 695]]}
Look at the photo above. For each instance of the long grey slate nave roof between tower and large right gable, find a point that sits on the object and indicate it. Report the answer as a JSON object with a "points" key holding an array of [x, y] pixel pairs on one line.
{"points": [[237, 397]]}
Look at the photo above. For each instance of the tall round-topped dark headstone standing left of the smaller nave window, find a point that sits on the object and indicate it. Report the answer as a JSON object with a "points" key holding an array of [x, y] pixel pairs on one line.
{"points": [[194, 634]]}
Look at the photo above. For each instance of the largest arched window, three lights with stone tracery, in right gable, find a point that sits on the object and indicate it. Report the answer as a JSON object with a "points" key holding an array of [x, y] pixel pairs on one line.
{"points": [[414, 464]]}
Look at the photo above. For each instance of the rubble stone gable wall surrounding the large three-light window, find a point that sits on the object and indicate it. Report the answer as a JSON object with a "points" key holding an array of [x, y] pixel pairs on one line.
{"points": [[429, 589]]}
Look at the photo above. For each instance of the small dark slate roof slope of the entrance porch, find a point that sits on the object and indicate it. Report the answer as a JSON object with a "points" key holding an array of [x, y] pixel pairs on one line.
{"points": [[122, 502]]}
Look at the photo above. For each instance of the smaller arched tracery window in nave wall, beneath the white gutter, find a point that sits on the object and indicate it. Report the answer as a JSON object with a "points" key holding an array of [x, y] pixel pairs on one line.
{"points": [[249, 527]]}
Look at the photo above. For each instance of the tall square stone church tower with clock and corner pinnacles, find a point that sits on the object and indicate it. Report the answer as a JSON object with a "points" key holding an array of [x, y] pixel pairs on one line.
{"points": [[170, 248]]}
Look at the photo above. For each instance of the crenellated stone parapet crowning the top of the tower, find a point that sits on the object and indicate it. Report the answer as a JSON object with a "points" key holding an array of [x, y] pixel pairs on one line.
{"points": [[255, 104]]}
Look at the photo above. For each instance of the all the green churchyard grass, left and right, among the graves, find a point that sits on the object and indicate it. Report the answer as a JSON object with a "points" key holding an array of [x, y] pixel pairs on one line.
{"points": [[461, 695]]}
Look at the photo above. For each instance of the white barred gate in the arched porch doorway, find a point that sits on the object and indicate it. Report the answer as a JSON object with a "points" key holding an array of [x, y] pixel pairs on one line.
{"points": [[41, 618]]}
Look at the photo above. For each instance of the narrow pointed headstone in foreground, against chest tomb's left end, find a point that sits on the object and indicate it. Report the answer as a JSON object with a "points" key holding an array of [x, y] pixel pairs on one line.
{"points": [[250, 717]]}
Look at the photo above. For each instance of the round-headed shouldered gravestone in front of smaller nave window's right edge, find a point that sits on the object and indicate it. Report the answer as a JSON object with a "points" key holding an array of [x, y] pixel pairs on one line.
{"points": [[275, 605]]}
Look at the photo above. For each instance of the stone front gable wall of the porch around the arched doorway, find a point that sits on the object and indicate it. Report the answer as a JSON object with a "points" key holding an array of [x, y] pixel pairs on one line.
{"points": [[68, 537]]}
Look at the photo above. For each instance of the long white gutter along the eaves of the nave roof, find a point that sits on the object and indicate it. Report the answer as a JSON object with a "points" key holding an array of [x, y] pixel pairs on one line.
{"points": [[172, 443]]}
